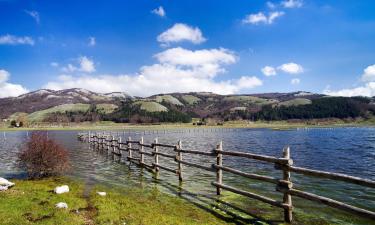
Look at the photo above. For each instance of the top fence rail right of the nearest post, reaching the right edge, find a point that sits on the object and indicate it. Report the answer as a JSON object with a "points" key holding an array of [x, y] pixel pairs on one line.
{"points": [[333, 176]]}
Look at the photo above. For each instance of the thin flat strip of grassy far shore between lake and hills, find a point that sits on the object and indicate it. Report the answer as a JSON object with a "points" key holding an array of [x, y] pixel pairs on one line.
{"points": [[231, 124]]}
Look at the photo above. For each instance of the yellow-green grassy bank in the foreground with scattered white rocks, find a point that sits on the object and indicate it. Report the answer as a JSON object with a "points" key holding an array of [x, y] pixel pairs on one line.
{"points": [[33, 202]]}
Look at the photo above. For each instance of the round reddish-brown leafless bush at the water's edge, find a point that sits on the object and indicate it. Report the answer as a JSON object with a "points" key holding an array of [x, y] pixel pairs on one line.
{"points": [[43, 157]]}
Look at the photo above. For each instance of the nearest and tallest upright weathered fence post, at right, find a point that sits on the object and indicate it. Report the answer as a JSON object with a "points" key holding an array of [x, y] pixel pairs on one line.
{"points": [[287, 199]]}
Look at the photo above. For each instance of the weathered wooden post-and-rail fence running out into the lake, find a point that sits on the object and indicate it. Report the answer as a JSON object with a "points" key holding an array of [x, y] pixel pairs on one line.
{"points": [[116, 146]]}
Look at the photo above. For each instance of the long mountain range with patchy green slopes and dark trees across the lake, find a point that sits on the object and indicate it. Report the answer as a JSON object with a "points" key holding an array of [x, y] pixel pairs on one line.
{"points": [[78, 105]]}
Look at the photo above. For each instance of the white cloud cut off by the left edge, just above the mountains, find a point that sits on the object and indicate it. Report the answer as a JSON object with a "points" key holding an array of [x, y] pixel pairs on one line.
{"points": [[8, 89]]}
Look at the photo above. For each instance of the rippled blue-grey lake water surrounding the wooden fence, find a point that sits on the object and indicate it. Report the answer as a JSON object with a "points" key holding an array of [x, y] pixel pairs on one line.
{"points": [[345, 150]]}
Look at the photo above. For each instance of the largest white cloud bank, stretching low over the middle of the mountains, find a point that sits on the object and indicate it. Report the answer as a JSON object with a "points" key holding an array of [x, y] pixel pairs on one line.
{"points": [[177, 70]]}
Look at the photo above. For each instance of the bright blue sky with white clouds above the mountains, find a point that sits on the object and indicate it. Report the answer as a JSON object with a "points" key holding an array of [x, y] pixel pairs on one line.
{"points": [[150, 47]]}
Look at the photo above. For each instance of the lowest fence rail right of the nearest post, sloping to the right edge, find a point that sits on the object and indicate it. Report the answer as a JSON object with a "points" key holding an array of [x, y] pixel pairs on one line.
{"points": [[333, 203]]}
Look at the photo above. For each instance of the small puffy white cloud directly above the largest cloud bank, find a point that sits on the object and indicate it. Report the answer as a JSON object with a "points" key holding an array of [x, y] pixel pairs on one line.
{"points": [[181, 32]]}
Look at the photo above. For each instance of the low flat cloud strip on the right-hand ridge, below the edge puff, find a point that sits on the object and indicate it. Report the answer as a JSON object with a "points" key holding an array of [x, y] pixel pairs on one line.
{"points": [[367, 90]]}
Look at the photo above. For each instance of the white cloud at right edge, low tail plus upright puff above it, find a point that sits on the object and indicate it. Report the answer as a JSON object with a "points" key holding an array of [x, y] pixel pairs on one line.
{"points": [[367, 89]]}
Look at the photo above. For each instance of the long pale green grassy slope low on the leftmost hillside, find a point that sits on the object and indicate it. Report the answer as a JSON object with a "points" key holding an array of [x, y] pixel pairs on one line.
{"points": [[40, 115]]}
